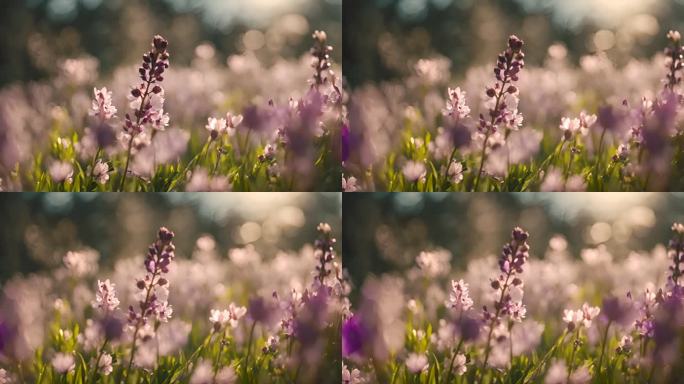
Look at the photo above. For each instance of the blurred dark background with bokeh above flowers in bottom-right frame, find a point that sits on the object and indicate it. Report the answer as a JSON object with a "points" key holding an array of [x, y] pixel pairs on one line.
{"points": [[384, 232]]}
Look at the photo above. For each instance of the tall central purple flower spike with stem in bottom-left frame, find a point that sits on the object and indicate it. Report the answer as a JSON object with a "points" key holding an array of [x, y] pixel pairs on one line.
{"points": [[157, 262]]}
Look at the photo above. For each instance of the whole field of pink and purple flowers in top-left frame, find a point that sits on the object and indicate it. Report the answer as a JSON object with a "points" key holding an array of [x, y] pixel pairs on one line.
{"points": [[262, 131]]}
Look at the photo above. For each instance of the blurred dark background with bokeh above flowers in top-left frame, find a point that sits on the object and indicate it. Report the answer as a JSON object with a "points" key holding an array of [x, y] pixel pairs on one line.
{"points": [[35, 34]]}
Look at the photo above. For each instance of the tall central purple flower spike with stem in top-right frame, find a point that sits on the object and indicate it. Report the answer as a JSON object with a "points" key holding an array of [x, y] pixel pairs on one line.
{"points": [[509, 64]]}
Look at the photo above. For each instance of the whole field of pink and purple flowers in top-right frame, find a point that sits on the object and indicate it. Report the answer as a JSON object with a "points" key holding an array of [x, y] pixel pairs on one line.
{"points": [[625, 138]]}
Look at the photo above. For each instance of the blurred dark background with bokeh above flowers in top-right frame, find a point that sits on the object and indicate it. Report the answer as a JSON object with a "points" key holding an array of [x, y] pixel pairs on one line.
{"points": [[384, 38]]}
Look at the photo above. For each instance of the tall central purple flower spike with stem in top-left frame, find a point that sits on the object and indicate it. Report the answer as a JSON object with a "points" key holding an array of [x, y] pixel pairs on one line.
{"points": [[155, 62]]}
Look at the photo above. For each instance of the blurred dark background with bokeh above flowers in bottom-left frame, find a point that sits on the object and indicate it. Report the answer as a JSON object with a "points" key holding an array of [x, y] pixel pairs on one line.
{"points": [[40, 228]]}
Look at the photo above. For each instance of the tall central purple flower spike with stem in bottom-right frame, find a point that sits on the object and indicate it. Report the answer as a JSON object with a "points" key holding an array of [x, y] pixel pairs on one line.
{"points": [[509, 285]]}
